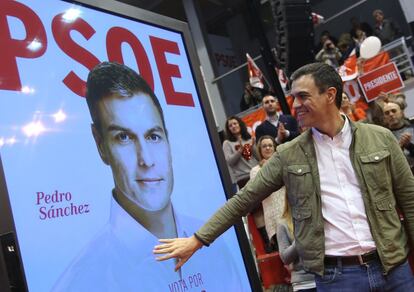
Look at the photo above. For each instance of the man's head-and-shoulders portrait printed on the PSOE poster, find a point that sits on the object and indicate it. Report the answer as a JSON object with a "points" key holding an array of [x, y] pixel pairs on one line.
{"points": [[131, 138]]}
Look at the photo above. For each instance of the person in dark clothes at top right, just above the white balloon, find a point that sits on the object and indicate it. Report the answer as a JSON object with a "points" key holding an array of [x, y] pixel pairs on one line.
{"points": [[385, 29]]}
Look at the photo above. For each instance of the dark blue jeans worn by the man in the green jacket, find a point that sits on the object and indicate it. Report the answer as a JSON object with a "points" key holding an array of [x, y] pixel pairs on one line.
{"points": [[365, 278]]}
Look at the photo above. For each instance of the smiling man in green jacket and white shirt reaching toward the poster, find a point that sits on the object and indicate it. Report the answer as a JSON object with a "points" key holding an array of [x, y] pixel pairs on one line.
{"points": [[345, 182]]}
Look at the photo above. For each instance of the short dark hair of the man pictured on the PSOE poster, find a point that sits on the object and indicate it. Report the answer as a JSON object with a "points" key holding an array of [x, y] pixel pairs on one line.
{"points": [[109, 78]]}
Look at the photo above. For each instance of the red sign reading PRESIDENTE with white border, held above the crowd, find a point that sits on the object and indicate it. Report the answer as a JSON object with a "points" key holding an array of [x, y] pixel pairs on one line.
{"points": [[385, 79]]}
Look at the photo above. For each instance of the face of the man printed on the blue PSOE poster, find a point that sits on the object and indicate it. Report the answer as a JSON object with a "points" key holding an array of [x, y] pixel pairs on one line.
{"points": [[134, 143]]}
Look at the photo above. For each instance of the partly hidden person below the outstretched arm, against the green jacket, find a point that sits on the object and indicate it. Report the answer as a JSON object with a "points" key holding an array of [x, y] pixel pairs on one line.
{"points": [[300, 279]]}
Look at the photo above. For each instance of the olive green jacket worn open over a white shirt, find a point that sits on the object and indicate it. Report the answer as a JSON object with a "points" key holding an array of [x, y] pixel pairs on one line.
{"points": [[384, 177]]}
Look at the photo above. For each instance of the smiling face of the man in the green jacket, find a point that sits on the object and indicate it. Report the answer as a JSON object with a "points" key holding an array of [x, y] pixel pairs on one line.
{"points": [[310, 105]]}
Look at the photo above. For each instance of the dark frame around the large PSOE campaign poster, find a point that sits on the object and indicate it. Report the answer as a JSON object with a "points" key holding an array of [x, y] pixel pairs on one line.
{"points": [[137, 14]]}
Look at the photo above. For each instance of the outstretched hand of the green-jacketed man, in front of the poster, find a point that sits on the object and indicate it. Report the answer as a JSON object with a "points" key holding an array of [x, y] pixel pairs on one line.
{"points": [[178, 248]]}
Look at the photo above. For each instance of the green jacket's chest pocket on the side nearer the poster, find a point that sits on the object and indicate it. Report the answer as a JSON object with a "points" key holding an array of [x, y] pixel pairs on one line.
{"points": [[299, 183]]}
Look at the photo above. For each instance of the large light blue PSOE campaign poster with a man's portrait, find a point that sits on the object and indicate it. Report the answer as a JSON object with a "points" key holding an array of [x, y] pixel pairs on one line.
{"points": [[72, 233]]}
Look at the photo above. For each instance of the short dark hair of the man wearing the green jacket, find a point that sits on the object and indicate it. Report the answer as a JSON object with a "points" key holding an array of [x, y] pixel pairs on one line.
{"points": [[324, 76]]}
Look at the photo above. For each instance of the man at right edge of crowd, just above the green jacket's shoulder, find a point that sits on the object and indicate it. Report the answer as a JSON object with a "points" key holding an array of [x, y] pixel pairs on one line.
{"points": [[402, 129]]}
